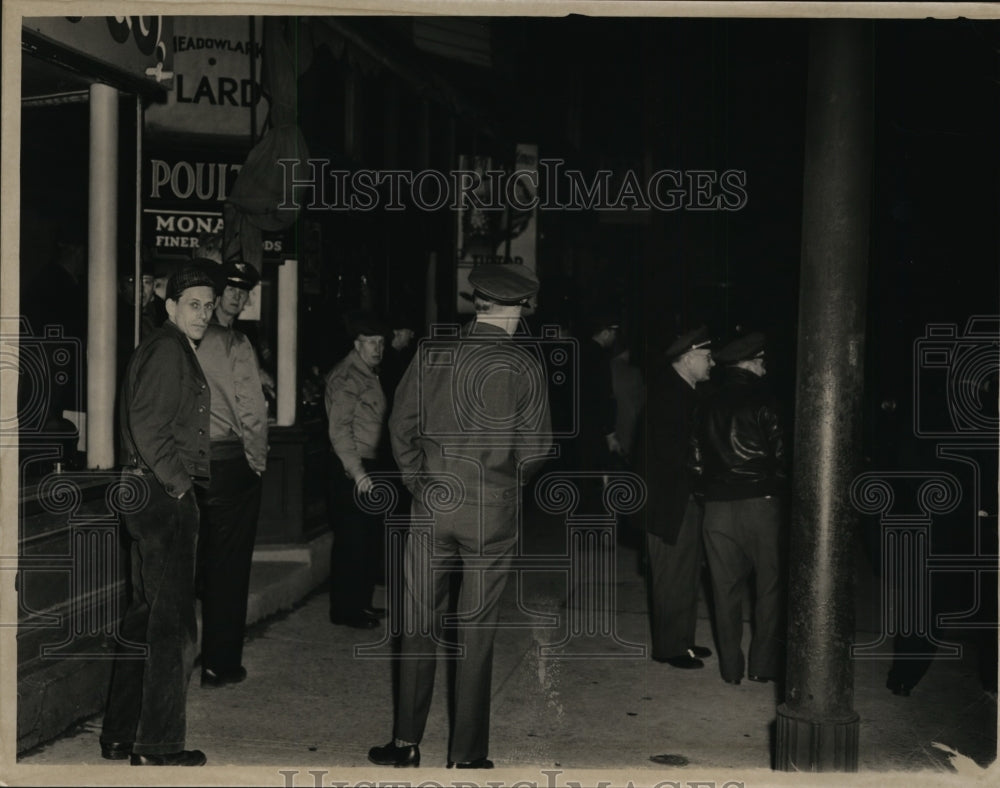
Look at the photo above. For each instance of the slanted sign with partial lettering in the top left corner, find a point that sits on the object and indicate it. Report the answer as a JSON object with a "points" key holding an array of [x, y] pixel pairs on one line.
{"points": [[141, 46]]}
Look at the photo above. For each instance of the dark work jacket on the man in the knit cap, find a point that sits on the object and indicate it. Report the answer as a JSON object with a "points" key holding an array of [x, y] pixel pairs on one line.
{"points": [[165, 411]]}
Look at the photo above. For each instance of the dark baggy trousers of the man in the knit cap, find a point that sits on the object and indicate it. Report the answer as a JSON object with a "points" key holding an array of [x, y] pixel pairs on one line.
{"points": [[146, 703]]}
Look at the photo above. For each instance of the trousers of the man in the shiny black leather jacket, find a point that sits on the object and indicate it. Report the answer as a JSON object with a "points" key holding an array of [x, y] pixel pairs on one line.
{"points": [[743, 537]]}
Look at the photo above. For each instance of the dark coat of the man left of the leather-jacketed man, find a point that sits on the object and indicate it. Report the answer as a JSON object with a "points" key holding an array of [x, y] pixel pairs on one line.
{"points": [[670, 414]]}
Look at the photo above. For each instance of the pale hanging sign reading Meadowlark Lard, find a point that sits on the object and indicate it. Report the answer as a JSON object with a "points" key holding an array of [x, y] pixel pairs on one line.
{"points": [[214, 92]]}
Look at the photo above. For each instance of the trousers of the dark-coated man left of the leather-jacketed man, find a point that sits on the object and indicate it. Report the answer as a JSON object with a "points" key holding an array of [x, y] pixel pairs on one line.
{"points": [[675, 579]]}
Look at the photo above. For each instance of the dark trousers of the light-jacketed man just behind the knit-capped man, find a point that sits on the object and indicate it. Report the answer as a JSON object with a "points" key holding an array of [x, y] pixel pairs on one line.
{"points": [[229, 511]]}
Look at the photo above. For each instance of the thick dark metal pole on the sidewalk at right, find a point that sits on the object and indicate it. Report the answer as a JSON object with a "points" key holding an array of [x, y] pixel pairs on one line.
{"points": [[817, 725]]}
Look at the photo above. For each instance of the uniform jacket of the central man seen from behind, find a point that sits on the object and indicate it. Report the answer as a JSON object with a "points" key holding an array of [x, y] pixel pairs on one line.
{"points": [[475, 407]]}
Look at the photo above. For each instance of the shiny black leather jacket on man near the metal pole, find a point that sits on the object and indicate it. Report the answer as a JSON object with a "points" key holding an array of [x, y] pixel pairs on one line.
{"points": [[739, 447]]}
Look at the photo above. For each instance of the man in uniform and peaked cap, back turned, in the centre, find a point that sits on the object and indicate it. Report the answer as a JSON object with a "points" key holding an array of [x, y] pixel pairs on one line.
{"points": [[471, 414]]}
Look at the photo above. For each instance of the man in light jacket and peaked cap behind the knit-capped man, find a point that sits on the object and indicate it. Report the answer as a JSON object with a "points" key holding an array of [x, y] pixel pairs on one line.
{"points": [[230, 506]]}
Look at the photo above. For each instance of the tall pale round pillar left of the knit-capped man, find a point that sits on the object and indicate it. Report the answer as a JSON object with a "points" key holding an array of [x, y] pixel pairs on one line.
{"points": [[102, 265]]}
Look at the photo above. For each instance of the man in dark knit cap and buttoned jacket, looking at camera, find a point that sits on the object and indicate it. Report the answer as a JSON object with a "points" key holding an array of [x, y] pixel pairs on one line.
{"points": [[165, 405]]}
